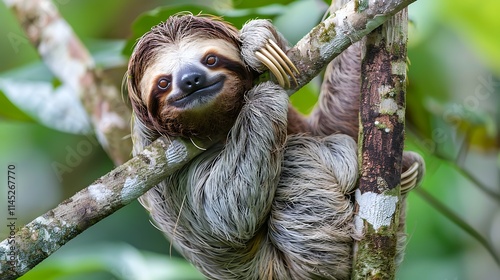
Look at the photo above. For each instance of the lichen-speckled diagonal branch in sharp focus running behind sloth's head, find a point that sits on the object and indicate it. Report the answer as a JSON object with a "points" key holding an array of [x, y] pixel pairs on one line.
{"points": [[43, 236]]}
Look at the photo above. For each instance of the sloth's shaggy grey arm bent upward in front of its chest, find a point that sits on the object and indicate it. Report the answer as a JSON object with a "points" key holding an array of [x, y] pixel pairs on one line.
{"points": [[240, 188]]}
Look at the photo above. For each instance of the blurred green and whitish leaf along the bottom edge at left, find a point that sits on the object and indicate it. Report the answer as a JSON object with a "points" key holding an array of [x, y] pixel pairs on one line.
{"points": [[120, 260]]}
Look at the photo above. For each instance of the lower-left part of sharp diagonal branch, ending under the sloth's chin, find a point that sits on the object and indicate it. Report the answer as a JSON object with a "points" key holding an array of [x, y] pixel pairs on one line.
{"points": [[40, 238]]}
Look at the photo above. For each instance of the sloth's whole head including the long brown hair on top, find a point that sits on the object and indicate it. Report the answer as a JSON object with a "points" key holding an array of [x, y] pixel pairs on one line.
{"points": [[186, 77]]}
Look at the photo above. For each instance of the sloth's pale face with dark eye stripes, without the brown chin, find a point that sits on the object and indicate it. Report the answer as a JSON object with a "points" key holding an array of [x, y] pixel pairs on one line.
{"points": [[190, 74]]}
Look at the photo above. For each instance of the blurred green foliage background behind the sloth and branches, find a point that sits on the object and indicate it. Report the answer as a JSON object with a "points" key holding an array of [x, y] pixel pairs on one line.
{"points": [[453, 120]]}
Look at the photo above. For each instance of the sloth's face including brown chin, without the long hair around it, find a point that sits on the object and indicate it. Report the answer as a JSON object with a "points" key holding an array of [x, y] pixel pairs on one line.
{"points": [[194, 87]]}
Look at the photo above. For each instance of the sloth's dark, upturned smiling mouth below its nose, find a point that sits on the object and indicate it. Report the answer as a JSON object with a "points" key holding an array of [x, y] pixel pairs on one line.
{"points": [[200, 95]]}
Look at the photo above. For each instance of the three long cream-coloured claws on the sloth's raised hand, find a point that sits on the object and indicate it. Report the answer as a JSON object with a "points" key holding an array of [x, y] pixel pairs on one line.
{"points": [[278, 63]]}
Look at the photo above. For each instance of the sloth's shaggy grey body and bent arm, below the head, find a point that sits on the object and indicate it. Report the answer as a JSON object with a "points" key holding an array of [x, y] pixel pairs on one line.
{"points": [[238, 196]]}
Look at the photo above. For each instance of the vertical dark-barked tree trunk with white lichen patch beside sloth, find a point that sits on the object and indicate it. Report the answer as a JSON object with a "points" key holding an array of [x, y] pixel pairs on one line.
{"points": [[381, 141]]}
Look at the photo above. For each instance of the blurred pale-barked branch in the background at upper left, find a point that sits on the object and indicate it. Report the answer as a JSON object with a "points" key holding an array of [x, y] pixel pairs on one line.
{"points": [[69, 60]]}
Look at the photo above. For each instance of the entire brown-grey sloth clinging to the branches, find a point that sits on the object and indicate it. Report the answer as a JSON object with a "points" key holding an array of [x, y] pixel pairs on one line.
{"points": [[263, 203]]}
